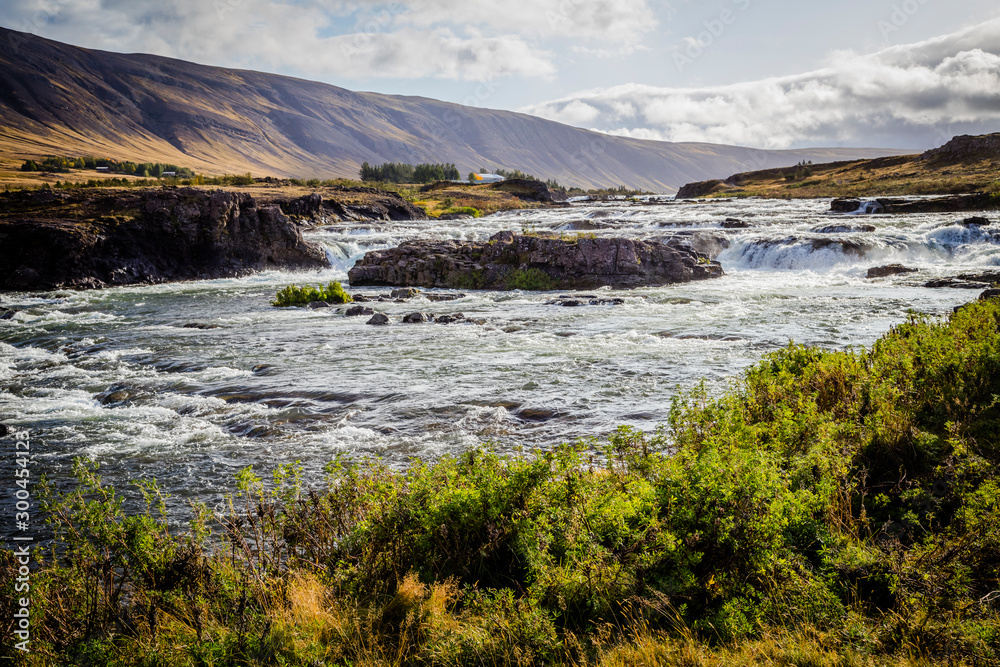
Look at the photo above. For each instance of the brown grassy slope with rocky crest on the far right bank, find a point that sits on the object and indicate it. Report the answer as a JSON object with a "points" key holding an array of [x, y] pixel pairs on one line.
{"points": [[963, 165]]}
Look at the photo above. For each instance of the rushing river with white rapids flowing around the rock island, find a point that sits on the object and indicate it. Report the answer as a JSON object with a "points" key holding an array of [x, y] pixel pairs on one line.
{"points": [[115, 376]]}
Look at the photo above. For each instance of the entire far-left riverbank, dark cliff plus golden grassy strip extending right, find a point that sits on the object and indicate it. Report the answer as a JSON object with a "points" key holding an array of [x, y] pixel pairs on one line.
{"points": [[86, 237]]}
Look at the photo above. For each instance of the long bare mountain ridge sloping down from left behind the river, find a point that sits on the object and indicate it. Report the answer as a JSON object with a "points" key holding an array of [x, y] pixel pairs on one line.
{"points": [[57, 99]]}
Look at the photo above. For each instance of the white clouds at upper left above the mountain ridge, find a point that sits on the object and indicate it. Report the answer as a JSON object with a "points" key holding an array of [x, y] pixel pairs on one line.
{"points": [[448, 39]]}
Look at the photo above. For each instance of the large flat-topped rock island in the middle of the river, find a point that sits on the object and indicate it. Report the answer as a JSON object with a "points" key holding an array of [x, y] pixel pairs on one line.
{"points": [[511, 261]]}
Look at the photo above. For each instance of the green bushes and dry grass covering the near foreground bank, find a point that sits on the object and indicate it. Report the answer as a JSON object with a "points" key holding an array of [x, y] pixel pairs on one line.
{"points": [[833, 508]]}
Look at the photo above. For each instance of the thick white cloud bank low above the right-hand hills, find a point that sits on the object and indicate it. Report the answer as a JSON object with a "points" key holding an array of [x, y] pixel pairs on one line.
{"points": [[923, 92]]}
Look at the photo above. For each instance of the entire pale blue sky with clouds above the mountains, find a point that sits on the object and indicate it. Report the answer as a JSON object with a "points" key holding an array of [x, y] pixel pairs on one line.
{"points": [[764, 73]]}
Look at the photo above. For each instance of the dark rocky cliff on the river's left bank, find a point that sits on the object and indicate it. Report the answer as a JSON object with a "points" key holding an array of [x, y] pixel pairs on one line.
{"points": [[80, 240]]}
